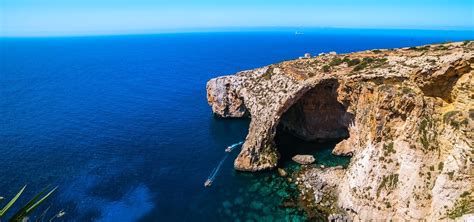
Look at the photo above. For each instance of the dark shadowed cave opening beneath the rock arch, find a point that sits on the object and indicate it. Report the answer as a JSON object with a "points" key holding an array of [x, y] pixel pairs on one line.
{"points": [[313, 125]]}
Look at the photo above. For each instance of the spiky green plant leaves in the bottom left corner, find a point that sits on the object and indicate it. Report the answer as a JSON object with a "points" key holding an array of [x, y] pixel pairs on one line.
{"points": [[27, 209]]}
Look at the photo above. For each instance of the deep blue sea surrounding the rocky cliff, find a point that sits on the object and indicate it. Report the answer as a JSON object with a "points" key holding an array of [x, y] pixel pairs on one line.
{"points": [[121, 123]]}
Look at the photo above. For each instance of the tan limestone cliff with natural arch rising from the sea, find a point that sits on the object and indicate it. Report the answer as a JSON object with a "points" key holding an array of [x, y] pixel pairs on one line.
{"points": [[406, 116]]}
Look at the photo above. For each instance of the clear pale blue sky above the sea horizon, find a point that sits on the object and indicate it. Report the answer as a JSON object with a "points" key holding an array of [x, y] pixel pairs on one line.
{"points": [[96, 17]]}
